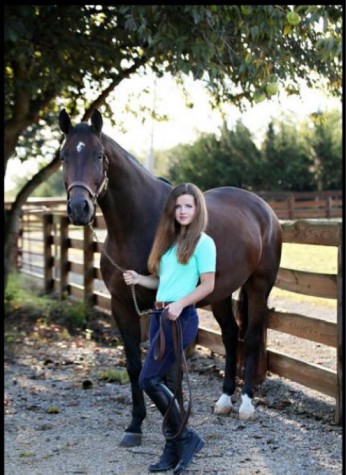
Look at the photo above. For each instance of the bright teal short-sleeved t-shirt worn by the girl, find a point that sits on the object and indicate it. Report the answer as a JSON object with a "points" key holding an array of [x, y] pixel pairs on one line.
{"points": [[177, 280]]}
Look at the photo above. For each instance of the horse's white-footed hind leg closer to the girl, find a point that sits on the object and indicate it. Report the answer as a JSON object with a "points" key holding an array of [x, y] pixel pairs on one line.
{"points": [[223, 313]]}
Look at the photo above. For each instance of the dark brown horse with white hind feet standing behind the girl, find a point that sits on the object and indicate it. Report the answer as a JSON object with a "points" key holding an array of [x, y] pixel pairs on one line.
{"points": [[246, 231]]}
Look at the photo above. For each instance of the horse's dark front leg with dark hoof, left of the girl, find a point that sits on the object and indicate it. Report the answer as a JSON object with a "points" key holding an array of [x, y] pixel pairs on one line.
{"points": [[129, 327]]}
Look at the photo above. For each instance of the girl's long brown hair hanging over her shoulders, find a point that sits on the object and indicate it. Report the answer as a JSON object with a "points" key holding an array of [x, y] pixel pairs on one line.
{"points": [[170, 232]]}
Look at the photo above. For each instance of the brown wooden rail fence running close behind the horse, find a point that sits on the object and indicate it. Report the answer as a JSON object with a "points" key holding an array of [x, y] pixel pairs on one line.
{"points": [[67, 257]]}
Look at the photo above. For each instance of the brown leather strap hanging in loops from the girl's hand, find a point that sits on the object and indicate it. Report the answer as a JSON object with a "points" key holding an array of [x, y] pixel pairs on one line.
{"points": [[180, 368]]}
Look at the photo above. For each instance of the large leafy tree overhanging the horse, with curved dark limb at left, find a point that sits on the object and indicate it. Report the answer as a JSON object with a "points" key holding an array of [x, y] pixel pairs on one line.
{"points": [[78, 54]]}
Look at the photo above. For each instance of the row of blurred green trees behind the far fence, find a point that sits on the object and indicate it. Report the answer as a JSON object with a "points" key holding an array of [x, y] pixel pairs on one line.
{"points": [[293, 156]]}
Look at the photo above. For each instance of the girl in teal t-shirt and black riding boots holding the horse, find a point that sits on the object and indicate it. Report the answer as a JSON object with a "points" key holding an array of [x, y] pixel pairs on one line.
{"points": [[182, 264]]}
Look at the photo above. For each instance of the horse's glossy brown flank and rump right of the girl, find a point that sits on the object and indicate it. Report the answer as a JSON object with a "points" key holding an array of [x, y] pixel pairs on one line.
{"points": [[246, 232]]}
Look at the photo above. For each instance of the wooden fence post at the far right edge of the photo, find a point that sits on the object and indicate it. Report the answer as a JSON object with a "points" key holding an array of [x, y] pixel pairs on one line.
{"points": [[339, 411]]}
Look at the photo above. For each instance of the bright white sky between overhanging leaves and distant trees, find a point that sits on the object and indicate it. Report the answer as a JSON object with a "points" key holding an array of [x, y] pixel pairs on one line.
{"points": [[184, 124]]}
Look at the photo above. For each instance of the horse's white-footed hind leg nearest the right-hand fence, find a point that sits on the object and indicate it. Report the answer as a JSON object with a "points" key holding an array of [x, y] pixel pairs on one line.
{"points": [[256, 297]]}
